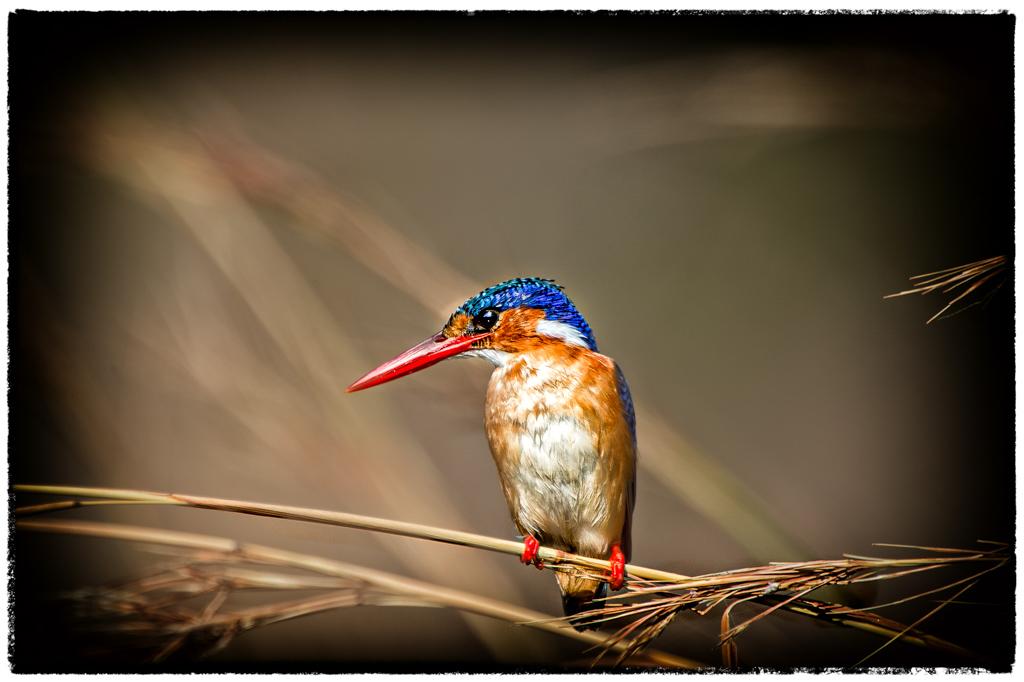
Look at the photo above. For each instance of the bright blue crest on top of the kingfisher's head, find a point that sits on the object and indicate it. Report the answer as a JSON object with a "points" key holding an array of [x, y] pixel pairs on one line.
{"points": [[535, 293]]}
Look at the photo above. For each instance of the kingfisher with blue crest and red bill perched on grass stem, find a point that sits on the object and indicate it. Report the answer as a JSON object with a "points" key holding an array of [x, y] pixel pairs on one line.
{"points": [[560, 420]]}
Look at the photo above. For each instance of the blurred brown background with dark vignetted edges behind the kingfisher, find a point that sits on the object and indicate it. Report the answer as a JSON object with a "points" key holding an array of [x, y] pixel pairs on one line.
{"points": [[219, 222]]}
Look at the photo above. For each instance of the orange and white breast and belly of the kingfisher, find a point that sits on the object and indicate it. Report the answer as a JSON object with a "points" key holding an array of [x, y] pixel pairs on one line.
{"points": [[563, 447]]}
